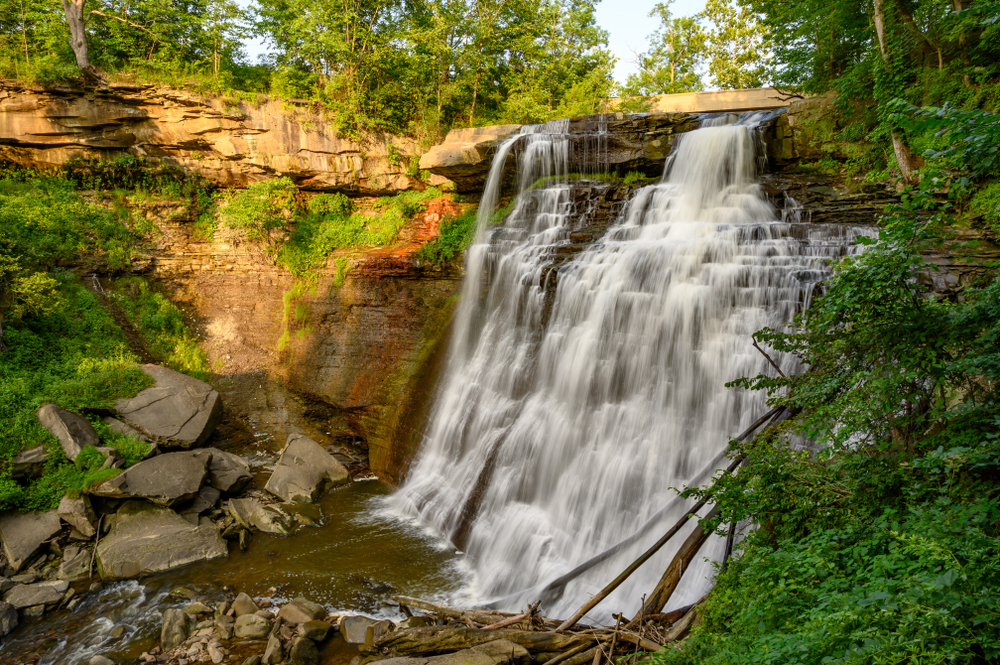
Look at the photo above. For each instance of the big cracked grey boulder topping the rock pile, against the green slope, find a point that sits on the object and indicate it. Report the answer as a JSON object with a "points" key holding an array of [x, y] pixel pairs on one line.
{"points": [[178, 411]]}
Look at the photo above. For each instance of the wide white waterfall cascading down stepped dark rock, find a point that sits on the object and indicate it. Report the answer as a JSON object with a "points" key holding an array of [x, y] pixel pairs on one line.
{"points": [[578, 394]]}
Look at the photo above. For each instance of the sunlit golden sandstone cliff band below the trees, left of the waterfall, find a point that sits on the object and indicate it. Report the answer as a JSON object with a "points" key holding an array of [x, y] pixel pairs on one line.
{"points": [[229, 145]]}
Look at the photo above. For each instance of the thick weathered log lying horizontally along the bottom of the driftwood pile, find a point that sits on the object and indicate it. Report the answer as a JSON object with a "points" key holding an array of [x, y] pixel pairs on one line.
{"points": [[443, 639]]}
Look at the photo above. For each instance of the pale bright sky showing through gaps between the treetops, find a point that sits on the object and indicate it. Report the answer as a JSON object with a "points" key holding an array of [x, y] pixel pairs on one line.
{"points": [[627, 22]]}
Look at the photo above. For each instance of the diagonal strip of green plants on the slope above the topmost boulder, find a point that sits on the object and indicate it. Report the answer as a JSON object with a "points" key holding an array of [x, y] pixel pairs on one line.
{"points": [[161, 324]]}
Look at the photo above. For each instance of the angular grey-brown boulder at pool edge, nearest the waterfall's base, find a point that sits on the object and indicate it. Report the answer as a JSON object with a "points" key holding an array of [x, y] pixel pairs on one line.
{"points": [[305, 471]]}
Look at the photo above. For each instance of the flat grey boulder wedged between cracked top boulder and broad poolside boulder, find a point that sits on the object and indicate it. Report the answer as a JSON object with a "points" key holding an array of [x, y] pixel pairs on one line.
{"points": [[165, 479]]}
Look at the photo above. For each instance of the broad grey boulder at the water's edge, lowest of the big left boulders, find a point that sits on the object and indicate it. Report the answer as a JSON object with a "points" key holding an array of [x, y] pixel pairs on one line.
{"points": [[145, 539]]}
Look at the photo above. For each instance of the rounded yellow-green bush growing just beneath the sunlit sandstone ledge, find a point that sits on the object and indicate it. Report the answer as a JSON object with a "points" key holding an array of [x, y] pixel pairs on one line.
{"points": [[259, 209]]}
